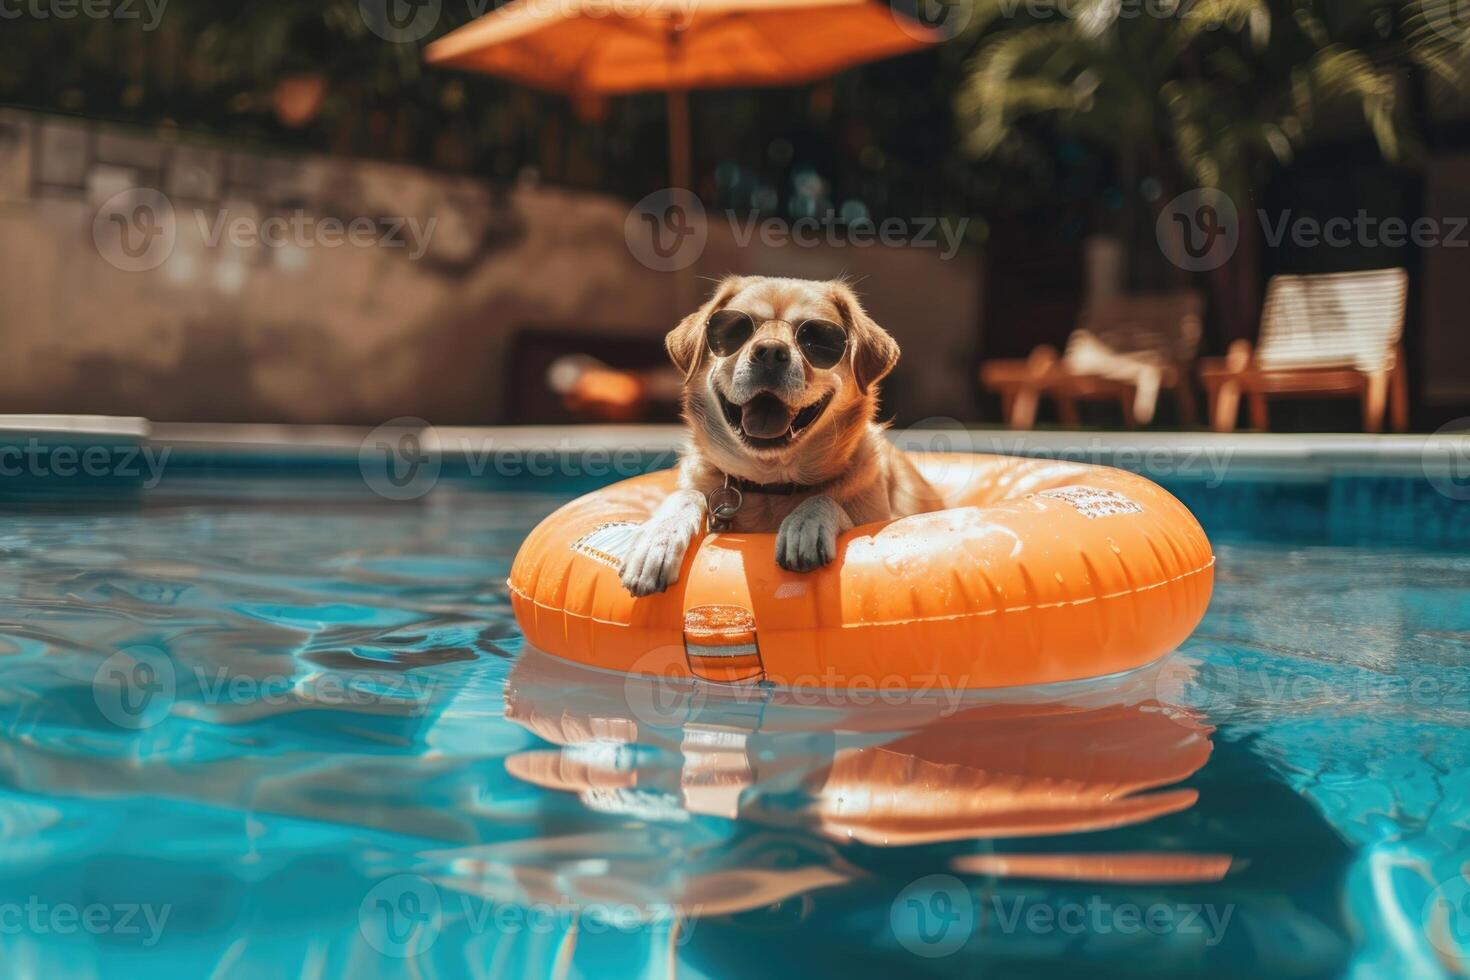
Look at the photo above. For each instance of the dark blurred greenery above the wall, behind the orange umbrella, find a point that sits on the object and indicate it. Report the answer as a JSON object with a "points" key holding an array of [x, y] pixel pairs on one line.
{"points": [[1171, 95]]}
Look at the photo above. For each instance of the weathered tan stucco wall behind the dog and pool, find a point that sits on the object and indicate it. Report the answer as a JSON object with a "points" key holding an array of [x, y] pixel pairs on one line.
{"points": [[395, 325]]}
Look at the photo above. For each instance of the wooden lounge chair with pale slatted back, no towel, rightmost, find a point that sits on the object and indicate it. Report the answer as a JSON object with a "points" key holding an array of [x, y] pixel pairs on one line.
{"points": [[1321, 336]]}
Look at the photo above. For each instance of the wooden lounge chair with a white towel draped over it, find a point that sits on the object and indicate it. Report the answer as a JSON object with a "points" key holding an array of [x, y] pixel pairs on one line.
{"points": [[1125, 349]]}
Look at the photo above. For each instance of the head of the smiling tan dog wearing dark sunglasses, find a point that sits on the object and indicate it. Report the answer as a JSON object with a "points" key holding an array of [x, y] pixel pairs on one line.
{"points": [[780, 375]]}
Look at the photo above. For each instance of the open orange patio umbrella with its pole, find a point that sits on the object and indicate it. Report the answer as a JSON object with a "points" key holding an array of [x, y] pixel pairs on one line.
{"points": [[611, 48]]}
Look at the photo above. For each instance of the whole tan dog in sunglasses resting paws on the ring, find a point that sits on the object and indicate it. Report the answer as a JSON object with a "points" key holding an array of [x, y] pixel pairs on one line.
{"points": [[780, 397]]}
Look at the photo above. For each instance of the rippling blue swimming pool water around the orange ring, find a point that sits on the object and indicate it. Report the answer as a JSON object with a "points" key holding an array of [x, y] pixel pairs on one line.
{"points": [[261, 721]]}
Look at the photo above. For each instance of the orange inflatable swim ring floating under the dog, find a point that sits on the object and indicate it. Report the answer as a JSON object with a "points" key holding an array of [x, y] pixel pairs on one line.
{"points": [[1041, 572]]}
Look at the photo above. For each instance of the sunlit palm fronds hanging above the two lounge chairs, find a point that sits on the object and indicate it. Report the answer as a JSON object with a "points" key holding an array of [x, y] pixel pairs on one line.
{"points": [[1202, 93]]}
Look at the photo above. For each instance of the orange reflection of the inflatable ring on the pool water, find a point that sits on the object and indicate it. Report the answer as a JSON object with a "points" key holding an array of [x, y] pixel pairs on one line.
{"points": [[992, 771]]}
